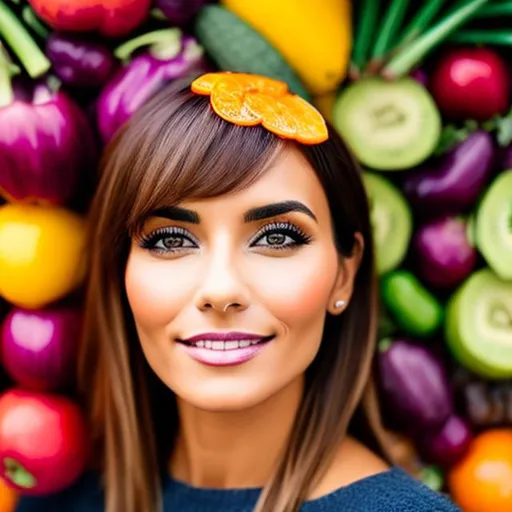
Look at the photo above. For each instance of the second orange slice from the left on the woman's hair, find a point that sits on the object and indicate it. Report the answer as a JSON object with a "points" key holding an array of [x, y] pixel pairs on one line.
{"points": [[228, 102]]}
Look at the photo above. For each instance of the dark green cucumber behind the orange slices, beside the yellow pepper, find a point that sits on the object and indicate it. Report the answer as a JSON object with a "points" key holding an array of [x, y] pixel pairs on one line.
{"points": [[235, 46]]}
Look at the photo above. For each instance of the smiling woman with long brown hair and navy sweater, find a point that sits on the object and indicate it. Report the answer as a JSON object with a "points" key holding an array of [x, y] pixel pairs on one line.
{"points": [[230, 323]]}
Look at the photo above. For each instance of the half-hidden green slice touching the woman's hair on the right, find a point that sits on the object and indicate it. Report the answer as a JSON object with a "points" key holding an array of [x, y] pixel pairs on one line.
{"points": [[391, 221]]}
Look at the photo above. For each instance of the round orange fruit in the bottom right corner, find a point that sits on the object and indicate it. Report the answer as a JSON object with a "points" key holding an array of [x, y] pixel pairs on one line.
{"points": [[482, 480]]}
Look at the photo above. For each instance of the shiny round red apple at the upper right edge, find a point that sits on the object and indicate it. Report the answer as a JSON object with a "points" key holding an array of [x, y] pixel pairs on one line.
{"points": [[471, 83]]}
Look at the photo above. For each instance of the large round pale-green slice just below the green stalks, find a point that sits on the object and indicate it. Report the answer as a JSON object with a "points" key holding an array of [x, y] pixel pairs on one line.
{"points": [[390, 125]]}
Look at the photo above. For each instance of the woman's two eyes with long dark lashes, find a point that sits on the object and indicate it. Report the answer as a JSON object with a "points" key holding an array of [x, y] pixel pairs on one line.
{"points": [[173, 239]]}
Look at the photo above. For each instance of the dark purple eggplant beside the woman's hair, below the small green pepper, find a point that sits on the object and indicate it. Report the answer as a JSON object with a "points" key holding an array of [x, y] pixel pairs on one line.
{"points": [[414, 384]]}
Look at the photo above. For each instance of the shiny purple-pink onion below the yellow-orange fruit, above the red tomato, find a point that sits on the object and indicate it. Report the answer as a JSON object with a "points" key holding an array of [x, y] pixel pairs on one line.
{"points": [[39, 348]]}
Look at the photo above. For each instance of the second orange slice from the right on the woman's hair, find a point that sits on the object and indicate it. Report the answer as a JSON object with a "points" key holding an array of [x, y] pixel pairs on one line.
{"points": [[276, 115]]}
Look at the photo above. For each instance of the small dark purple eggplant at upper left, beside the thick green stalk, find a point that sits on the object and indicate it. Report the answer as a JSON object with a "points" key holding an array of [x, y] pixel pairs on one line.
{"points": [[79, 62]]}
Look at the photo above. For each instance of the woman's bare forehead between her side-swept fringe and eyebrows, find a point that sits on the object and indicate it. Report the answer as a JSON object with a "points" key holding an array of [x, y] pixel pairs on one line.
{"points": [[291, 177]]}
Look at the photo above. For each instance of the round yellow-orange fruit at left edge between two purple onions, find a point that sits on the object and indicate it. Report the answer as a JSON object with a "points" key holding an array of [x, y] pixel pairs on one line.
{"points": [[42, 254]]}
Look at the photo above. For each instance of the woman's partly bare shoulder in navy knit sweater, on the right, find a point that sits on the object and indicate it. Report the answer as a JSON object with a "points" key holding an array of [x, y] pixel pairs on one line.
{"points": [[359, 480]]}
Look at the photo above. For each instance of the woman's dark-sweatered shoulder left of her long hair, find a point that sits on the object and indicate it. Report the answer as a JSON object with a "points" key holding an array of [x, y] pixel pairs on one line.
{"points": [[85, 495]]}
